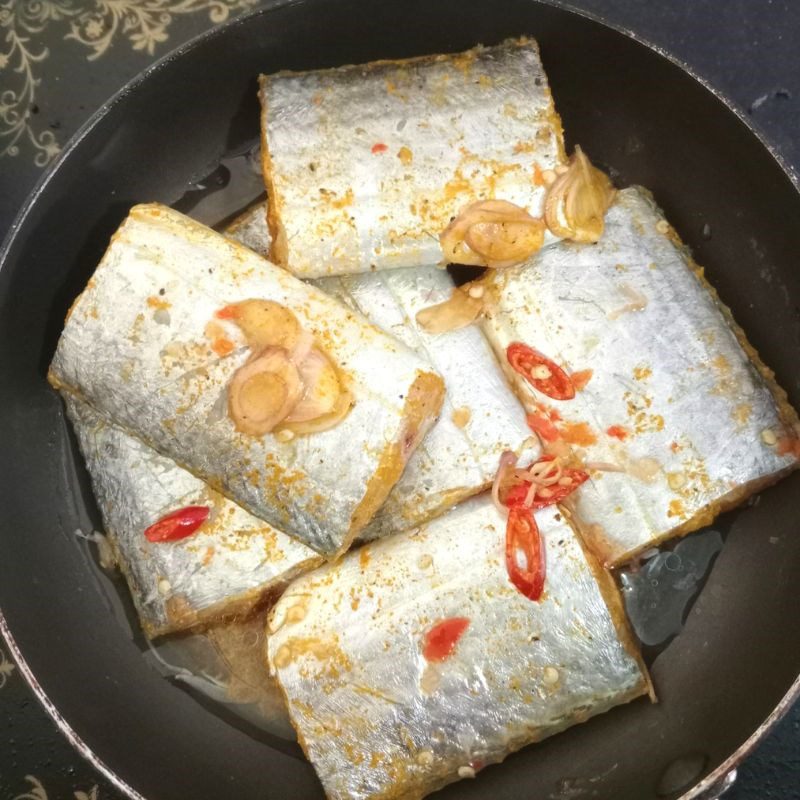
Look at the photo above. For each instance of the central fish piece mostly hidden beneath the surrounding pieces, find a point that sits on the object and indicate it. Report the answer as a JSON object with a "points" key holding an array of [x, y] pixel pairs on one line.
{"points": [[481, 417]]}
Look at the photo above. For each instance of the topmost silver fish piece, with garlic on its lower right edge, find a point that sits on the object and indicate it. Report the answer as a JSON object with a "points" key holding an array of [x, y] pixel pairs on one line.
{"points": [[365, 165]]}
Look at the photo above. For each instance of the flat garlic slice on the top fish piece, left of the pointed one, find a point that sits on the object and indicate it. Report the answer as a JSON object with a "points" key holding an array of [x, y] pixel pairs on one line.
{"points": [[492, 233]]}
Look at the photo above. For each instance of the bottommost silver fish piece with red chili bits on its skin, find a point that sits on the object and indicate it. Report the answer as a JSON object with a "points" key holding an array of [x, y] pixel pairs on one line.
{"points": [[378, 720]]}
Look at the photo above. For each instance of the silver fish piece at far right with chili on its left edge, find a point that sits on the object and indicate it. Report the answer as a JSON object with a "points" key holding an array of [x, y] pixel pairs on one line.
{"points": [[677, 397]]}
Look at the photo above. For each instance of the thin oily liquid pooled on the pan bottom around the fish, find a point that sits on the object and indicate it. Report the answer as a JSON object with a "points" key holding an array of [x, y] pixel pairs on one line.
{"points": [[224, 667]]}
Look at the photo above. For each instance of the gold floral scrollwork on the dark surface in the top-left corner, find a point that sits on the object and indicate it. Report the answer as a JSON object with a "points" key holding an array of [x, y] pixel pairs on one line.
{"points": [[94, 24]]}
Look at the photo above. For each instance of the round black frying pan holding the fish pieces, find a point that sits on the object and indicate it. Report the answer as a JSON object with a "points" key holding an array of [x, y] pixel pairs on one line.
{"points": [[722, 681]]}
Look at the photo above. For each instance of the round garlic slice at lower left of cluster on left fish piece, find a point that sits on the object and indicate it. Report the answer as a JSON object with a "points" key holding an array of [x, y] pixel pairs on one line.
{"points": [[263, 391]]}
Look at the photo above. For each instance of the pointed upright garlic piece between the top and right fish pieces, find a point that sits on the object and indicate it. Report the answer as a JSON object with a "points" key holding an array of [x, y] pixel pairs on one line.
{"points": [[577, 201]]}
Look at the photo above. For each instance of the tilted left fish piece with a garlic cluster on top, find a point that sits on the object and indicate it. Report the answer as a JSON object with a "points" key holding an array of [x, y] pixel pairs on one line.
{"points": [[139, 346]]}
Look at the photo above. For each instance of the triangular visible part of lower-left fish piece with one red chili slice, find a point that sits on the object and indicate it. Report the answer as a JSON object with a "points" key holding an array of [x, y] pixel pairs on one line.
{"points": [[233, 560]]}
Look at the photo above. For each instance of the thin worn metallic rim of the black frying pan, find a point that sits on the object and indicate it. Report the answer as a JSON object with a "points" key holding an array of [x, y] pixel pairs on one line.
{"points": [[792, 695]]}
